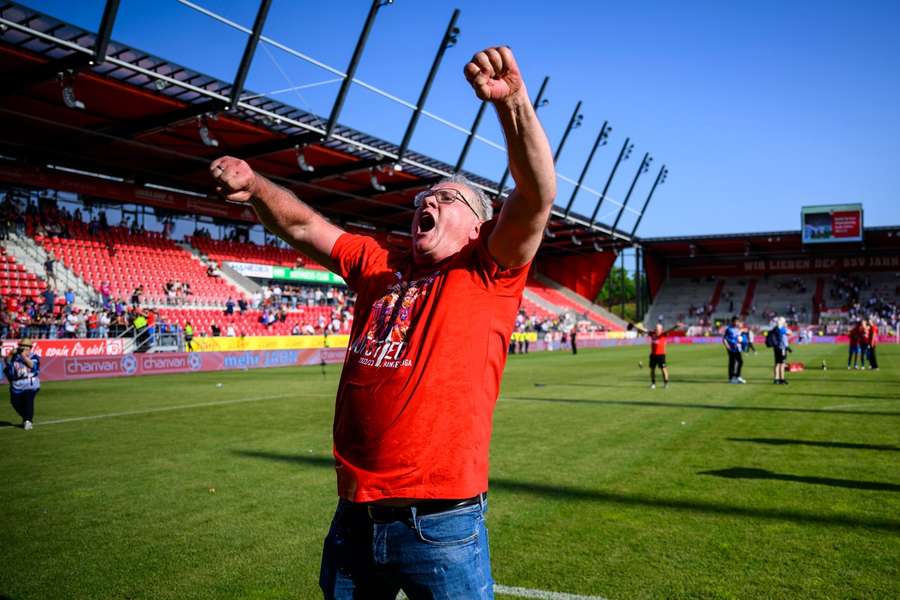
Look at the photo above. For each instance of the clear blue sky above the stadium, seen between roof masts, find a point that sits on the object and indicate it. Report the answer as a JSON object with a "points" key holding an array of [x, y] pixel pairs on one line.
{"points": [[757, 108]]}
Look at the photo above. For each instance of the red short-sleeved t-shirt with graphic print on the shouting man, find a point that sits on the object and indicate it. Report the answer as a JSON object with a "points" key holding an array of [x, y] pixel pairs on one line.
{"points": [[422, 373]]}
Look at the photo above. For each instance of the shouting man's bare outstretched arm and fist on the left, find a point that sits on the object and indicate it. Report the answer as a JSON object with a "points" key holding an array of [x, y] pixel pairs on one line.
{"points": [[277, 208]]}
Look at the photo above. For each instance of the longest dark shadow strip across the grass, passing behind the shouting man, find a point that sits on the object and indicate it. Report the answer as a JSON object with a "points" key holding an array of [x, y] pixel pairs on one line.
{"points": [[564, 492]]}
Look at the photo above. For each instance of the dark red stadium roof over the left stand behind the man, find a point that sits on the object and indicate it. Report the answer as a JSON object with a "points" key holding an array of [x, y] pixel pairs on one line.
{"points": [[74, 99]]}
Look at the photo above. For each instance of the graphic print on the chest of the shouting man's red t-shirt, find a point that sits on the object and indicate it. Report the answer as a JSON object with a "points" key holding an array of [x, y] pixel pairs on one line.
{"points": [[384, 340]]}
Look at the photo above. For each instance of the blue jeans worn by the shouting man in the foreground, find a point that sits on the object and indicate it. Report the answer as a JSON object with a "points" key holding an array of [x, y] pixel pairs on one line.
{"points": [[442, 555]]}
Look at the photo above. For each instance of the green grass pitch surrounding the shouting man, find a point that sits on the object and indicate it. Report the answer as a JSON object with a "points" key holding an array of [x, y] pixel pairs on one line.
{"points": [[600, 486]]}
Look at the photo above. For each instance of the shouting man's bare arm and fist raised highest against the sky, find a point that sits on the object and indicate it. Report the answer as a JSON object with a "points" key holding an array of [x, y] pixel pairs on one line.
{"points": [[495, 77]]}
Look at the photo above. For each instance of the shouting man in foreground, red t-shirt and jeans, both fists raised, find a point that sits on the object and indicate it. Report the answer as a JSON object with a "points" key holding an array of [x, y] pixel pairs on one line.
{"points": [[415, 402]]}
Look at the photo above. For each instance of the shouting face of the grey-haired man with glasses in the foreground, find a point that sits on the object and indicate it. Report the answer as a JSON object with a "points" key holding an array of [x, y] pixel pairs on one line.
{"points": [[440, 230]]}
